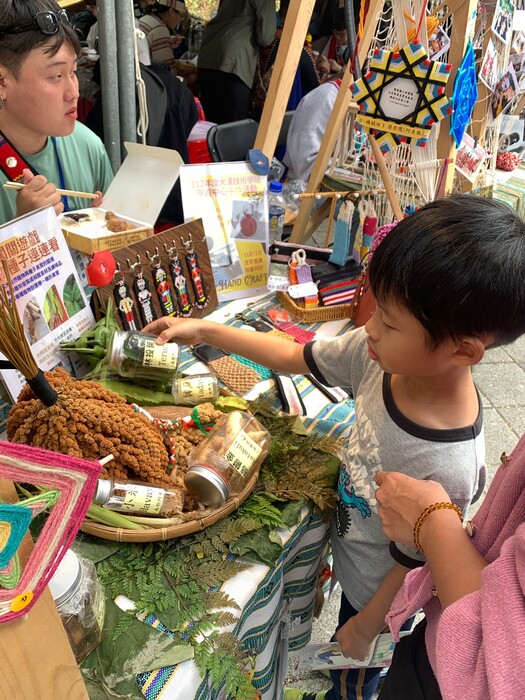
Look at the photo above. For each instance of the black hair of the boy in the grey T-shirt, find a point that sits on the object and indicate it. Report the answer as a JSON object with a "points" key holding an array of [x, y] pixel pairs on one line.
{"points": [[458, 265]]}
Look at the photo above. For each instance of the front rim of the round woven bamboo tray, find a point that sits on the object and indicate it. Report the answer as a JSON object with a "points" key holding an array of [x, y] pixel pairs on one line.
{"points": [[208, 517]]}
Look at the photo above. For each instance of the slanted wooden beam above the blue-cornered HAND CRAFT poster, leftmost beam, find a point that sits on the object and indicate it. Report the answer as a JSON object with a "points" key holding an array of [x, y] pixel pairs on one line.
{"points": [[288, 54]]}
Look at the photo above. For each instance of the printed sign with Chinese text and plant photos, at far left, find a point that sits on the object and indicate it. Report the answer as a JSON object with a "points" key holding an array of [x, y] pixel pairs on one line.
{"points": [[49, 296]]}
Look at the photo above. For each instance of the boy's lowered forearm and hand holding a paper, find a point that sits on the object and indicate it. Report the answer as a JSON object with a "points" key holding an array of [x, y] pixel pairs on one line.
{"points": [[358, 633]]}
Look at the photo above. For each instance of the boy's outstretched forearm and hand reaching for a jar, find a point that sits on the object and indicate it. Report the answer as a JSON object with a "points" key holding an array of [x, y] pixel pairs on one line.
{"points": [[263, 348]]}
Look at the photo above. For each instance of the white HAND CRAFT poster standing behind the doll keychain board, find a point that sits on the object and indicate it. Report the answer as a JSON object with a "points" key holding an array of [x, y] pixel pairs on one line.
{"points": [[232, 202]]}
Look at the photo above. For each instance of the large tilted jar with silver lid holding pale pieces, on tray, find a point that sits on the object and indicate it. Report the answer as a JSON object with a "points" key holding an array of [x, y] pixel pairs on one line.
{"points": [[223, 463]]}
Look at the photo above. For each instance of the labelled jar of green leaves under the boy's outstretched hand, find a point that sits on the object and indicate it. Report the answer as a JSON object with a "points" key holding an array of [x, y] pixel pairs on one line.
{"points": [[136, 354]]}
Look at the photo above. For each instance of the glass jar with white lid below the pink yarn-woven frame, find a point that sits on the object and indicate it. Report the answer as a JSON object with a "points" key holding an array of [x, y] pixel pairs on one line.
{"points": [[80, 602]]}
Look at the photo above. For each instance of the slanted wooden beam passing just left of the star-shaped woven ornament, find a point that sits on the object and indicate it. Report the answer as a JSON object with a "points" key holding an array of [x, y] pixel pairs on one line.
{"points": [[334, 126]]}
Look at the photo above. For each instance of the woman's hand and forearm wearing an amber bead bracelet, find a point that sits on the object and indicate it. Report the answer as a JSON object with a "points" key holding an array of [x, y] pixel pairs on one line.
{"points": [[455, 563]]}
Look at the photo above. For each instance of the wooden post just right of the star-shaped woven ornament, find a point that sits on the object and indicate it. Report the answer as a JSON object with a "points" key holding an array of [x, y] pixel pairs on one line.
{"points": [[446, 147]]}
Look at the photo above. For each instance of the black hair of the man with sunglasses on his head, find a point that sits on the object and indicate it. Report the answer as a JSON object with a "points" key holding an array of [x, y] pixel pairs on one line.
{"points": [[14, 48]]}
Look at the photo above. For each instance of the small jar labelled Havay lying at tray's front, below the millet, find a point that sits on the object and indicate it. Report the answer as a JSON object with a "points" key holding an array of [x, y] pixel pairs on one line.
{"points": [[136, 497]]}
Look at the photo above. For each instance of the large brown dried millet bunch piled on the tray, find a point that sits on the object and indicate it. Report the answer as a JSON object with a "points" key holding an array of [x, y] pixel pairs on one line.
{"points": [[91, 422]]}
